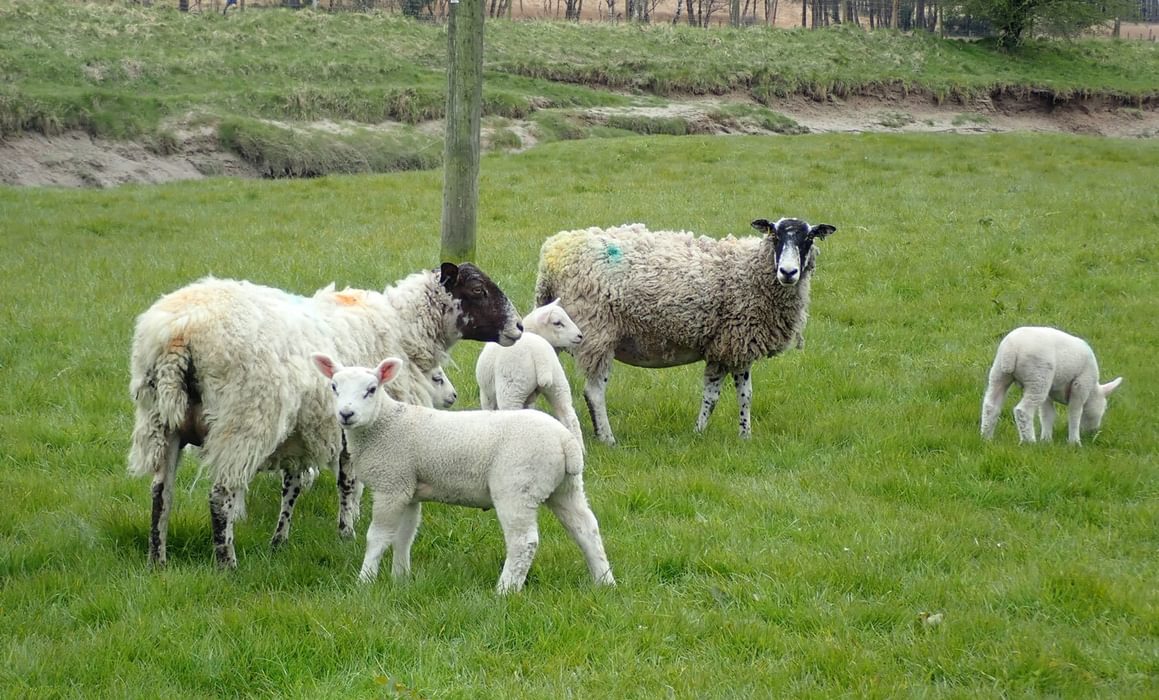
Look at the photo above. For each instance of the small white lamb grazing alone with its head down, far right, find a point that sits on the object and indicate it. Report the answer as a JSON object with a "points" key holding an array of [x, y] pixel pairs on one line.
{"points": [[1049, 366]]}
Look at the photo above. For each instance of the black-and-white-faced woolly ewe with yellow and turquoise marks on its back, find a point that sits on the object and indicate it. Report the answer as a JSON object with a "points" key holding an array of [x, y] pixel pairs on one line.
{"points": [[660, 300]]}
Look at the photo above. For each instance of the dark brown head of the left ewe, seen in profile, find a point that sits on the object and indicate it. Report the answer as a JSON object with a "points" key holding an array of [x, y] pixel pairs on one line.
{"points": [[482, 311]]}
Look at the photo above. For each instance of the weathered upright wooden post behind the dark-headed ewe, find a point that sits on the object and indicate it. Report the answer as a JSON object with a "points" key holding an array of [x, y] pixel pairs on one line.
{"points": [[464, 108]]}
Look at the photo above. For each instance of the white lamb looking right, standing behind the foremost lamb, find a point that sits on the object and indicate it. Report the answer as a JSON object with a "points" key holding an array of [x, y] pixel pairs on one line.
{"points": [[513, 377]]}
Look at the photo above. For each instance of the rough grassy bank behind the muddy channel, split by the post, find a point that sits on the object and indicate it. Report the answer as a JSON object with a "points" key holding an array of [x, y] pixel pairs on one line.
{"points": [[126, 71]]}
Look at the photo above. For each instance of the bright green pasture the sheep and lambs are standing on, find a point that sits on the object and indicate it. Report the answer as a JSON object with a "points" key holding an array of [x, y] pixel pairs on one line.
{"points": [[793, 565]]}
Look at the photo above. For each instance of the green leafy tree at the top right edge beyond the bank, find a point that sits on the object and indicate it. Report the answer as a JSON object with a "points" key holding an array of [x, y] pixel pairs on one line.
{"points": [[1015, 20]]}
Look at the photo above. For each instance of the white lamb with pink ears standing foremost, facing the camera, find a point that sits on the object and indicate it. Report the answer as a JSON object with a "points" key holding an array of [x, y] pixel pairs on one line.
{"points": [[513, 461]]}
